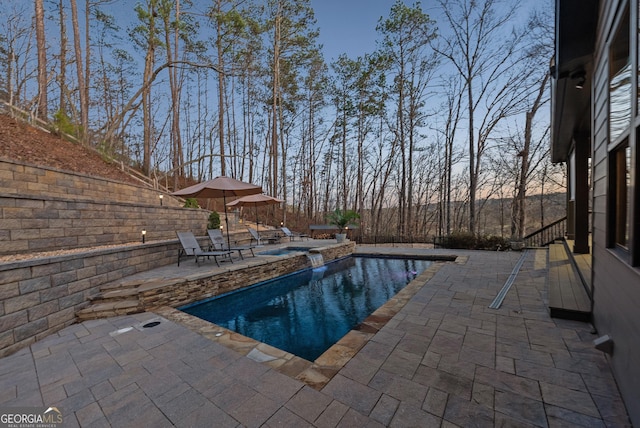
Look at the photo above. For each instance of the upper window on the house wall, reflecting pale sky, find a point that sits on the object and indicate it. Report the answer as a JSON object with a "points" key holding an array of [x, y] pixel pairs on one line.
{"points": [[620, 80]]}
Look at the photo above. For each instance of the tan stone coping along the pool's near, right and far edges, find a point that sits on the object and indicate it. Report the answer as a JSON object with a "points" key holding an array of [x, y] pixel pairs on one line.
{"points": [[318, 373]]}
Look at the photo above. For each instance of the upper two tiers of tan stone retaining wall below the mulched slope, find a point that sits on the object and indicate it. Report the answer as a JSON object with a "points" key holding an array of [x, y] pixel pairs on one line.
{"points": [[43, 209]]}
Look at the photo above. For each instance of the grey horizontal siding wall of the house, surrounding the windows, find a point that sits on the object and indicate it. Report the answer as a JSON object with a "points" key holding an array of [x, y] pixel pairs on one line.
{"points": [[616, 282]]}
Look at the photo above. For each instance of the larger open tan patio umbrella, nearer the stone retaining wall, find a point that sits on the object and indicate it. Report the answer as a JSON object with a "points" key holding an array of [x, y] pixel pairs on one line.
{"points": [[220, 187]]}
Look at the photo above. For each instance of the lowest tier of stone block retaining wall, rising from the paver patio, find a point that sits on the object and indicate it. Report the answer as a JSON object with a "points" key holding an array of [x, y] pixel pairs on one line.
{"points": [[41, 296]]}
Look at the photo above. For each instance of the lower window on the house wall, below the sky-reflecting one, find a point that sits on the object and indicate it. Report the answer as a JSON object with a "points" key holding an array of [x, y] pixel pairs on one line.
{"points": [[620, 175]]}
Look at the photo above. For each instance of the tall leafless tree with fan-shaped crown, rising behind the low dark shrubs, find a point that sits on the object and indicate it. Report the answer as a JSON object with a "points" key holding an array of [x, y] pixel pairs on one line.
{"points": [[482, 52]]}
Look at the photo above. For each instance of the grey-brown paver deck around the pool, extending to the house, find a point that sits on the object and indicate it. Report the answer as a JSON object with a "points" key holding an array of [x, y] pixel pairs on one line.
{"points": [[445, 359]]}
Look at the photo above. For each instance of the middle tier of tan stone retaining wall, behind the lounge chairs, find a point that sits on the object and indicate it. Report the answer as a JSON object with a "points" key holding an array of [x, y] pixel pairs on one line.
{"points": [[33, 224]]}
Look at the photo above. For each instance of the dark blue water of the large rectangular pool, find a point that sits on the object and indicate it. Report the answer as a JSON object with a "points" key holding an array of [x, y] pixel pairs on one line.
{"points": [[305, 313]]}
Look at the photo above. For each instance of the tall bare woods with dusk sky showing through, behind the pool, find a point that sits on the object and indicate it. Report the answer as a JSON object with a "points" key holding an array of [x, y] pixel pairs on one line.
{"points": [[445, 114]]}
